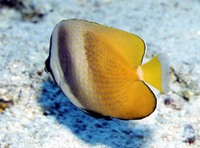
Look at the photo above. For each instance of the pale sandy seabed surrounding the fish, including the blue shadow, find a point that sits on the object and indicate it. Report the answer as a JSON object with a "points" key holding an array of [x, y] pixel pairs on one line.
{"points": [[43, 117]]}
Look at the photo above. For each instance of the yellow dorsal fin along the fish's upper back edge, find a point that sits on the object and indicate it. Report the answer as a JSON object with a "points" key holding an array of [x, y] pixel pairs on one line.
{"points": [[128, 45]]}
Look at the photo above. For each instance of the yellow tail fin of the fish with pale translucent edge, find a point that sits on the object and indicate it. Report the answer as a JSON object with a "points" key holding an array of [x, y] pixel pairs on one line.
{"points": [[156, 72]]}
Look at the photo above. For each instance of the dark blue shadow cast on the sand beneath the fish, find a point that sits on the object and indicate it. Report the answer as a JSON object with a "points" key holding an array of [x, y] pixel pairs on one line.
{"points": [[113, 133]]}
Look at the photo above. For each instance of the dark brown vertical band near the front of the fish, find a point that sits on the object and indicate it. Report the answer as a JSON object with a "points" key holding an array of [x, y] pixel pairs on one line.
{"points": [[65, 60]]}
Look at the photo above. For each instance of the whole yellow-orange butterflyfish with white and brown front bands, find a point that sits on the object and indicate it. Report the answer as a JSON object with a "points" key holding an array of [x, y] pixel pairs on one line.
{"points": [[100, 70]]}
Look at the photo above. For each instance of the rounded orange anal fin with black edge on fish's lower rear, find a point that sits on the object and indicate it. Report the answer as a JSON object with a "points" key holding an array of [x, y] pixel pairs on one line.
{"points": [[132, 101]]}
